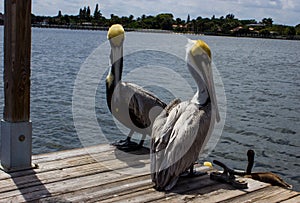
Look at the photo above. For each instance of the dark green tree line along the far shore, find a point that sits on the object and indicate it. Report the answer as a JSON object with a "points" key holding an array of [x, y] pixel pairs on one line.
{"points": [[224, 25]]}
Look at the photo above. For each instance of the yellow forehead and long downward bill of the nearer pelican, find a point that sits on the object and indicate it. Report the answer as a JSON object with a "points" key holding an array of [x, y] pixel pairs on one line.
{"points": [[201, 54]]}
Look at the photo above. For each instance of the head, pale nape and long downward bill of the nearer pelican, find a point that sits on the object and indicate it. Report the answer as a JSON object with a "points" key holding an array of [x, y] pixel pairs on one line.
{"points": [[199, 60]]}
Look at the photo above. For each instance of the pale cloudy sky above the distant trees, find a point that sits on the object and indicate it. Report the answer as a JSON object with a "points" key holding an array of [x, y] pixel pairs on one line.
{"points": [[281, 11]]}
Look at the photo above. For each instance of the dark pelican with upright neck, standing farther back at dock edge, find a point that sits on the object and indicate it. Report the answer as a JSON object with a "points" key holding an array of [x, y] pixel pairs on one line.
{"points": [[130, 104]]}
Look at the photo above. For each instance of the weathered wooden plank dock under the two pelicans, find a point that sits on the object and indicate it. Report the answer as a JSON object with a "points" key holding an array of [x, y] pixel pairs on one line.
{"points": [[103, 174]]}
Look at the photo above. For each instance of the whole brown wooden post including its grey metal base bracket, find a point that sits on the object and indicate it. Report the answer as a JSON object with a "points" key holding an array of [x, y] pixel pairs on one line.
{"points": [[16, 127]]}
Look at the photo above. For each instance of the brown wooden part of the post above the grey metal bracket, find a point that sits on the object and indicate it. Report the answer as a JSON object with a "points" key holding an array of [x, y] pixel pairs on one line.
{"points": [[17, 50]]}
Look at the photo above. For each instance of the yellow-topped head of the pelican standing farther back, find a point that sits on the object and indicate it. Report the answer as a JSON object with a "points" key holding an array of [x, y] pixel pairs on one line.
{"points": [[116, 35]]}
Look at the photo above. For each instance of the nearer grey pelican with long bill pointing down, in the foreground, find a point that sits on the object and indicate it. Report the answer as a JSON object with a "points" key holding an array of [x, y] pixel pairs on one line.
{"points": [[181, 131]]}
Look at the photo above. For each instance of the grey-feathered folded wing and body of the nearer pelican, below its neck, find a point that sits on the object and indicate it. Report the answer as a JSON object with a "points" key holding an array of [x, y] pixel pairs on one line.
{"points": [[185, 138]]}
